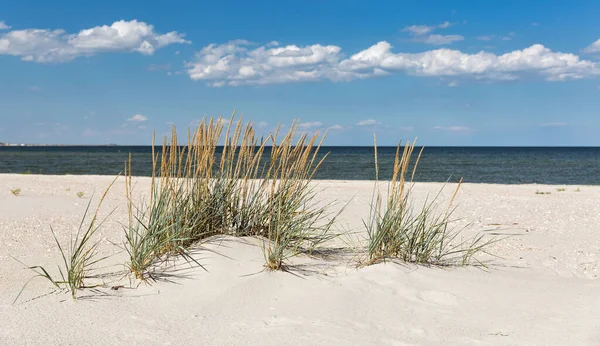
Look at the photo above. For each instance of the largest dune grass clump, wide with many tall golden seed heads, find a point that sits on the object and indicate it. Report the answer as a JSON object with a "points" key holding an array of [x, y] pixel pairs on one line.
{"points": [[197, 193]]}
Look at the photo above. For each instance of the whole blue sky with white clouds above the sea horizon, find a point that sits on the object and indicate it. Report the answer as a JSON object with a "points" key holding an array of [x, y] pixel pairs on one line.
{"points": [[449, 73]]}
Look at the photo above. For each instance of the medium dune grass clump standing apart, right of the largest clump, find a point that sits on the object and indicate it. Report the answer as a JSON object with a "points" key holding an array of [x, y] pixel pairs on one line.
{"points": [[399, 229]]}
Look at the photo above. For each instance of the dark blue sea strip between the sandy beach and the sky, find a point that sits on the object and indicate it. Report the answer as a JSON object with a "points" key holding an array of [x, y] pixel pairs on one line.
{"points": [[517, 165]]}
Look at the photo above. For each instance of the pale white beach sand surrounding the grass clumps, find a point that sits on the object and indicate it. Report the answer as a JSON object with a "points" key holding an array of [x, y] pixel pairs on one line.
{"points": [[544, 290]]}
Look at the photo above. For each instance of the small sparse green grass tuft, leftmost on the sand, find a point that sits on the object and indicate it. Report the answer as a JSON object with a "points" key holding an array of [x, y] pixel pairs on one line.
{"points": [[79, 257]]}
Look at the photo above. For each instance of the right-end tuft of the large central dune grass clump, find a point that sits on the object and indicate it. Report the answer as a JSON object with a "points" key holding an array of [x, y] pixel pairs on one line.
{"points": [[295, 223]]}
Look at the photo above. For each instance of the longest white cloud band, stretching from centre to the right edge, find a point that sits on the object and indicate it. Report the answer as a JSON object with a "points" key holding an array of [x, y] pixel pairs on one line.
{"points": [[240, 63]]}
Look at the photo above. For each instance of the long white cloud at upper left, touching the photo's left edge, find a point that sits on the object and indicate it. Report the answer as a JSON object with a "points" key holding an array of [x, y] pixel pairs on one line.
{"points": [[45, 45]]}
